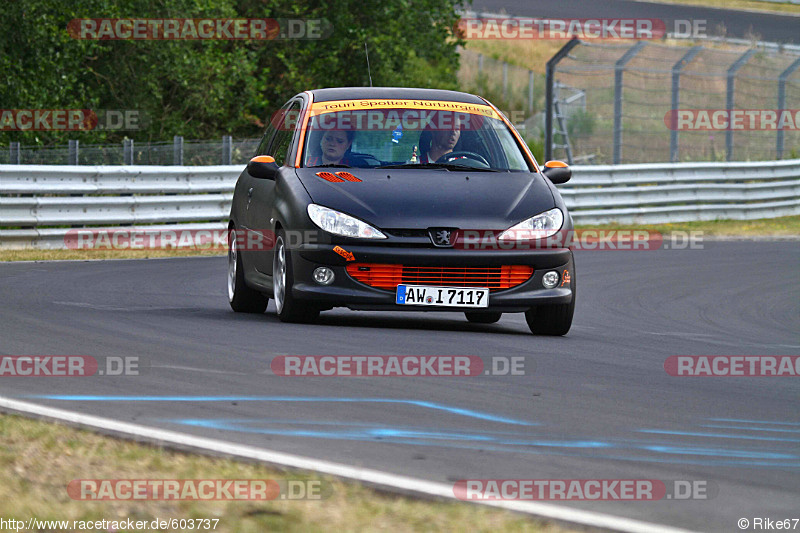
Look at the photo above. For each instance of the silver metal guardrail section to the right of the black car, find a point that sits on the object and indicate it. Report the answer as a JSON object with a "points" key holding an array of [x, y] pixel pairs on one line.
{"points": [[683, 192]]}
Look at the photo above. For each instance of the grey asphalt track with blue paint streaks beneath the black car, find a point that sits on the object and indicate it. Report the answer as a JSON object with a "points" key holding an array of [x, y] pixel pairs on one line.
{"points": [[594, 404]]}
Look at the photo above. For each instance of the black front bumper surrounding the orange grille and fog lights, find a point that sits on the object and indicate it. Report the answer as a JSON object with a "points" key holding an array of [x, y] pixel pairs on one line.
{"points": [[347, 292]]}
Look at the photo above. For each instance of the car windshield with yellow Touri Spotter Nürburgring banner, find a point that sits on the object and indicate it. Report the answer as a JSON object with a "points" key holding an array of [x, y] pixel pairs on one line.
{"points": [[410, 134]]}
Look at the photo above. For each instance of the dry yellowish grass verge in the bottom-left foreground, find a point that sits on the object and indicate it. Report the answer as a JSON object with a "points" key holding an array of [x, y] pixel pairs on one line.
{"points": [[38, 459]]}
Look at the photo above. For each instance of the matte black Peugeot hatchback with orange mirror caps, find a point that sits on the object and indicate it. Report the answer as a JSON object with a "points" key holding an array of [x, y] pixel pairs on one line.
{"points": [[400, 199]]}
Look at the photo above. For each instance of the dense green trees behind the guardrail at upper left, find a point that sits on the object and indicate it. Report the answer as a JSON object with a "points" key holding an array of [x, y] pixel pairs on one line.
{"points": [[204, 89]]}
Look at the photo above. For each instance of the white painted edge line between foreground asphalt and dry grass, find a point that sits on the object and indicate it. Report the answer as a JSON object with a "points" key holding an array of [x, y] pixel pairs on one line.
{"points": [[364, 475]]}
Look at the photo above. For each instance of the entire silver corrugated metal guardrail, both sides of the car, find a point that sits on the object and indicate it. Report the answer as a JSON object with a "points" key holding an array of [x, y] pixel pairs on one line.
{"points": [[40, 204]]}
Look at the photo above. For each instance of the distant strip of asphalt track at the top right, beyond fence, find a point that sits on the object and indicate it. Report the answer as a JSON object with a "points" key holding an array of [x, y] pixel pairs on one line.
{"points": [[773, 27]]}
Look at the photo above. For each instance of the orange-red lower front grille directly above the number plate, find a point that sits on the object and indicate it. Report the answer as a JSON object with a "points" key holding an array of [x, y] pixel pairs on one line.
{"points": [[389, 277]]}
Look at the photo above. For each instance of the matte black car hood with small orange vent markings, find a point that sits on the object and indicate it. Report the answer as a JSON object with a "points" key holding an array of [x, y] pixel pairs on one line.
{"points": [[418, 198]]}
